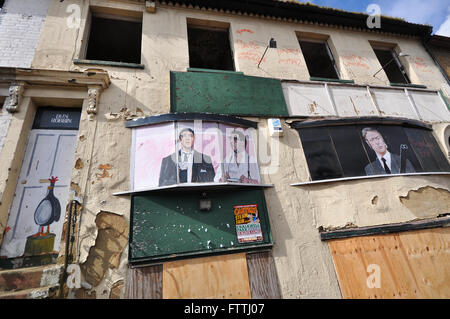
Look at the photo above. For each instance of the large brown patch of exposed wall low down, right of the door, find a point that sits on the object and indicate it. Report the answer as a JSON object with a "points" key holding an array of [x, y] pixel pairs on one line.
{"points": [[112, 238]]}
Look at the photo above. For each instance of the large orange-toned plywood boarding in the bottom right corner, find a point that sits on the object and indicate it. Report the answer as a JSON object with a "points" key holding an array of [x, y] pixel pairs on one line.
{"points": [[410, 265]]}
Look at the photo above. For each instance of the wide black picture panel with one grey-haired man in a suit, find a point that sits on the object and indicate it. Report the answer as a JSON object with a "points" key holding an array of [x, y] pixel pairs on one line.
{"points": [[342, 151]]}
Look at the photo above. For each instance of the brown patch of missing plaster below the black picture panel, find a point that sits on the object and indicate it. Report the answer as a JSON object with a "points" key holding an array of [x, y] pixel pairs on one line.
{"points": [[427, 199]]}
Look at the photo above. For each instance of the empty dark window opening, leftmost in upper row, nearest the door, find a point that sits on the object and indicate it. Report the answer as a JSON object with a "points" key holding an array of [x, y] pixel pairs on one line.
{"points": [[116, 40]]}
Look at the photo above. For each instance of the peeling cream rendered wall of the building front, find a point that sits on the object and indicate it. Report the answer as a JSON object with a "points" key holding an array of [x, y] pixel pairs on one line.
{"points": [[304, 265]]}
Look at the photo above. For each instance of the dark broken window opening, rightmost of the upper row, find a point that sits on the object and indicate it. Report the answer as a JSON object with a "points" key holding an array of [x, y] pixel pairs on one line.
{"points": [[394, 69]]}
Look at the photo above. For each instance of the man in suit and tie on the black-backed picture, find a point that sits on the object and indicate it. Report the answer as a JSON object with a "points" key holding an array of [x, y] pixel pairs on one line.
{"points": [[386, 162]]}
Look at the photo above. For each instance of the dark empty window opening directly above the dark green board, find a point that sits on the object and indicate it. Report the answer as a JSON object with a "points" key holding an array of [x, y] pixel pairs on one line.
{"points": [[209, 48]]}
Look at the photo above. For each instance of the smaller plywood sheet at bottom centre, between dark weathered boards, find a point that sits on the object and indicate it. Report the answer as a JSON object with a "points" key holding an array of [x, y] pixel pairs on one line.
{"points": [[218, 277]]}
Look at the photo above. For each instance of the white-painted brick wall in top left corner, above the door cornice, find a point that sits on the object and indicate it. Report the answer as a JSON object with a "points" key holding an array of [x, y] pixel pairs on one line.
{"points": [[20, 27]]}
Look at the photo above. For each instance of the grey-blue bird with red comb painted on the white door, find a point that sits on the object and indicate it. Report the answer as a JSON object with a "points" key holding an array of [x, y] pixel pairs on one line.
{"points": [[48, 210]]}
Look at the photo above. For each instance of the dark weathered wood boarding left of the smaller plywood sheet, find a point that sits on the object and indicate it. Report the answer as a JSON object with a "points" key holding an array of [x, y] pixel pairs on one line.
{"points": [[144, 283]]}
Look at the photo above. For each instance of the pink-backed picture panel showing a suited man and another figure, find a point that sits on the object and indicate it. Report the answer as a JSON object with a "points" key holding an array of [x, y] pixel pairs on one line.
{"points": [[187, 152]]}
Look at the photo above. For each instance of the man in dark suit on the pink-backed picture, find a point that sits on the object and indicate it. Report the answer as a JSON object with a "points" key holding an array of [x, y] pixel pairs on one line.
{"points": [[193, 167]]}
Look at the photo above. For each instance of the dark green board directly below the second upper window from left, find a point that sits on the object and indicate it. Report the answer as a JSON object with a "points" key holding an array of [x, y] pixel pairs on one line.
{"points": [[226, 93]]}
